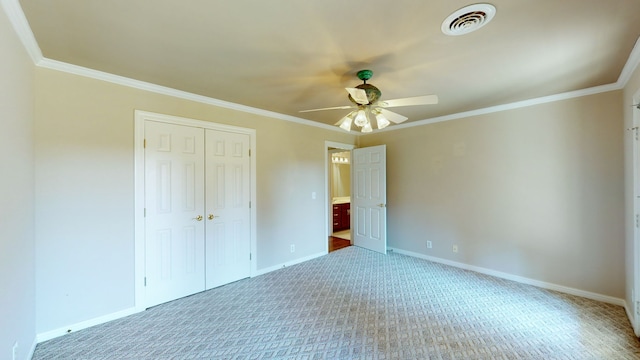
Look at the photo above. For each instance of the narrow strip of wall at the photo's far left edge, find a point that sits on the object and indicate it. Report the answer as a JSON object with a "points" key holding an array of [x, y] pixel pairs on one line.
{"points": [[17, 280]]}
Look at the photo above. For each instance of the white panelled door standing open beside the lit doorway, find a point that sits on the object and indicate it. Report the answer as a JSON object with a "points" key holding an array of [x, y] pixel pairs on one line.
{"points": [[369, 198]]}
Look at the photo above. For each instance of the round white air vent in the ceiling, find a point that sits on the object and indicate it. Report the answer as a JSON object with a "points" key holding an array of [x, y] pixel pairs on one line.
{"points": [[468, 19]]}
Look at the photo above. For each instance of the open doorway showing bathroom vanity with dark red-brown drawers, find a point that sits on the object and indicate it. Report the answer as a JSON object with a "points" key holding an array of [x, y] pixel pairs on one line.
{"points": [[338, 175]]}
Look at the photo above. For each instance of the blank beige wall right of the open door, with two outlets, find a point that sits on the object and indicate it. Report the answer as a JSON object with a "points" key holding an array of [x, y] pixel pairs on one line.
{"points": [[535, 192]]}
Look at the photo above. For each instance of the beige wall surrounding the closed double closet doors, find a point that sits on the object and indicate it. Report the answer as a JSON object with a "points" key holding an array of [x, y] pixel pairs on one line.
{"points": [[84, 191]]}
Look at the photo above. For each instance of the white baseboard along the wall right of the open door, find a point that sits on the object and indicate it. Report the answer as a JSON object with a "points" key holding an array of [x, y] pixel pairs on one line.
{"points": [[519, 279]]}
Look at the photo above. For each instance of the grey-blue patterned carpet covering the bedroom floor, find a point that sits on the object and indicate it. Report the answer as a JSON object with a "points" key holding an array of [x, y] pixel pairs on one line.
{"points": [[358, 304]]}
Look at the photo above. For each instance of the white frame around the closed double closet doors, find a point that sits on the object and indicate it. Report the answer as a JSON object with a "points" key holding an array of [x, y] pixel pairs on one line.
{"points": [[139, 184]]}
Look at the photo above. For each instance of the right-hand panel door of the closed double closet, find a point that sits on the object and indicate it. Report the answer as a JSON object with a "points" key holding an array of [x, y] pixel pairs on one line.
{"points": [[228, 238]]}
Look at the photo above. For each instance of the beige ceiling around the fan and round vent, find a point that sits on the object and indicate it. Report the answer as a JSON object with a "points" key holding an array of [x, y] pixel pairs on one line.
{"points": [[286, 56]]}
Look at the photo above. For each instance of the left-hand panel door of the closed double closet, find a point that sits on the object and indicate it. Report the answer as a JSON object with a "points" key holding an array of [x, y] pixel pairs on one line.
{"points": [[174, 206]]}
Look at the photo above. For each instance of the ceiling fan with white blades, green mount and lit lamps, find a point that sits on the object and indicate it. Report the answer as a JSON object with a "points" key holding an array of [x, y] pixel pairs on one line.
{"points": [[366, 100]]}
